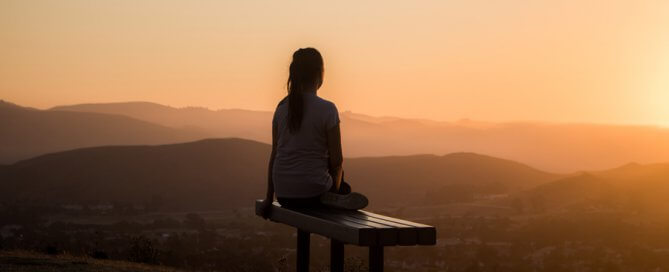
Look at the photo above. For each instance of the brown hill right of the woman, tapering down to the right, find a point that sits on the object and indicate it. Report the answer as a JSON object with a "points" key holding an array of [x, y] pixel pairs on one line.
{"points": [[442, 178]]}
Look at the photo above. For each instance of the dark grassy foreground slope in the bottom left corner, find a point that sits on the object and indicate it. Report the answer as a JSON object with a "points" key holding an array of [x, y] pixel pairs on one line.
{"points": [[25, 261]]}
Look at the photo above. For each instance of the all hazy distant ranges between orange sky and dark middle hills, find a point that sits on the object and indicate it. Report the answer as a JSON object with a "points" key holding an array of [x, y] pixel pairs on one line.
{"points": [[555, 147]]}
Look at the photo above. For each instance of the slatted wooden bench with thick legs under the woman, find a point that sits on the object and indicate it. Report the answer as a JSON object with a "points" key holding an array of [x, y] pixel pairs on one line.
{"points": [[349, 227]]}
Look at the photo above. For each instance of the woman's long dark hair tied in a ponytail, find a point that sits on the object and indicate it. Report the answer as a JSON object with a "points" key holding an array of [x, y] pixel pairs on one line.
{"points": [[306, 71]]}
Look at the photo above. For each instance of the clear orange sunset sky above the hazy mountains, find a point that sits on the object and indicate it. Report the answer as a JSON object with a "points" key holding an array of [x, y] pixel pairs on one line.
{"points": [[575, 61]]}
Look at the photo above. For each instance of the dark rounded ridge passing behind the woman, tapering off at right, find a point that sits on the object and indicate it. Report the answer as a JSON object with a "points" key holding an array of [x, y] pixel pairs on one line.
{"points": [[223, 173]]}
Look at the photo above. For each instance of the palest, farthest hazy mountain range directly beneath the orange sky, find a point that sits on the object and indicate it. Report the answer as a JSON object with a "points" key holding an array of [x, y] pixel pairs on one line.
{"points": [[558, 147]]}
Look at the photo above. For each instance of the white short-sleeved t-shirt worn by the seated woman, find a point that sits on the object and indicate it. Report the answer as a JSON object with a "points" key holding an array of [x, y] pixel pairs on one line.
{"points": [[301, 163]]}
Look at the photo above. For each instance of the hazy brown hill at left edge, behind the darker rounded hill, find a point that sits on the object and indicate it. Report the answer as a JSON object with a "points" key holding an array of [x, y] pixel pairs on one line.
{"points": [[27, 132]]}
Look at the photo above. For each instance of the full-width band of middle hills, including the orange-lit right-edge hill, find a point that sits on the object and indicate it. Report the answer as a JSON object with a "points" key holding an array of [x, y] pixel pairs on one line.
{"points": [[230, 173]]}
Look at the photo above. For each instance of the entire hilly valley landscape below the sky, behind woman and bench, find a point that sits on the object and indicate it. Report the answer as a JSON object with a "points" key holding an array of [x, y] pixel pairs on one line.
{"points": [[153, 184]]}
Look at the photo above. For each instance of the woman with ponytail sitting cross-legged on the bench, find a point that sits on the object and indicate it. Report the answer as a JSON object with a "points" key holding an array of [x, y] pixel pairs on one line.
{"points": [[305, 167]]}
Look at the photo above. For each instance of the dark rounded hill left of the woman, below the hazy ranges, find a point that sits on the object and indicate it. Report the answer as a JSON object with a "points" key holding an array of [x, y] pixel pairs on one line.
{"points": [[204, 174]]}
